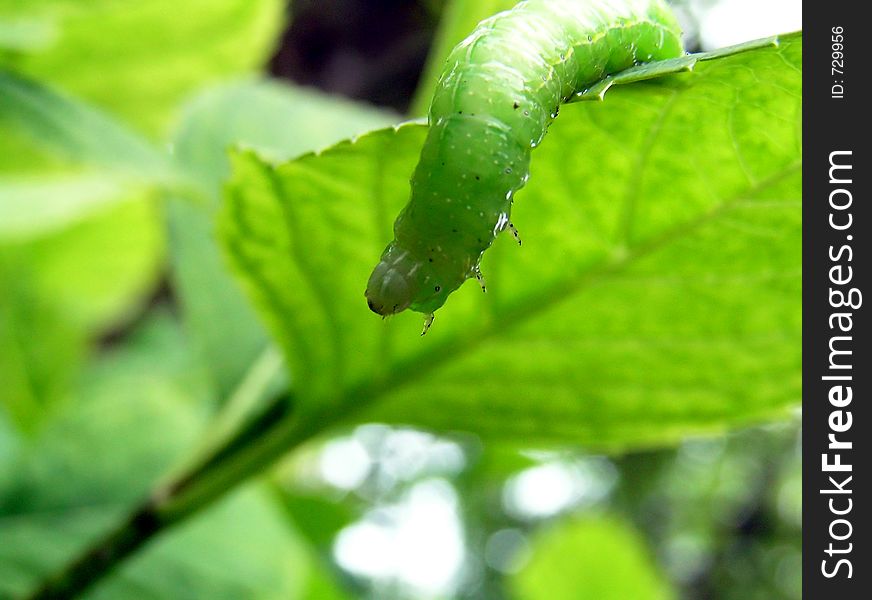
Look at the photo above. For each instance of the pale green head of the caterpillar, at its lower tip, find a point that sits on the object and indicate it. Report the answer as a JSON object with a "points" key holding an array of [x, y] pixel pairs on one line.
{"points": [[399, 281]]}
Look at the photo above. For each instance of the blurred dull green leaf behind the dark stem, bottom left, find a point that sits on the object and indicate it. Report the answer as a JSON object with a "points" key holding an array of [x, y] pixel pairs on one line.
{"points": [[136, 412]]}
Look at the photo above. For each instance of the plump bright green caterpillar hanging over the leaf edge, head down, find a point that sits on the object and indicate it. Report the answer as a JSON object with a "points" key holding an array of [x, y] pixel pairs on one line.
{"points": [[501, 88]]}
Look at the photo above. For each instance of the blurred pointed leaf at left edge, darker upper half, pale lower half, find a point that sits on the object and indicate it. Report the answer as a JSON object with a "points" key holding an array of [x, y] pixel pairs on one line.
{"points": [[50, 138]]}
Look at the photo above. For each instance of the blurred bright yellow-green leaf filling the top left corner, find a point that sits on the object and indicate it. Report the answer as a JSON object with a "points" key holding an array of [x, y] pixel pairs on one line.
{"points": [[139, 60]]}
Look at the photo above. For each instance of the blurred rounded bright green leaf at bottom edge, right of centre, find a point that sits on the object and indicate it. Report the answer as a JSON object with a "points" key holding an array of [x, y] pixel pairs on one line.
{"points": [[590, 559]]}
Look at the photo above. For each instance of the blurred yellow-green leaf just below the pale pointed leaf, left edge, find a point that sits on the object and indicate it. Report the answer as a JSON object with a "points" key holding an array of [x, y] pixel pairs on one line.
{"points": [[59, 288]]}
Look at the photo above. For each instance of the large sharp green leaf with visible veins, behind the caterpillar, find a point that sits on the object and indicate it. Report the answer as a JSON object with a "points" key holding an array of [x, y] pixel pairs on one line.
{"points": [[656, 296]]}
